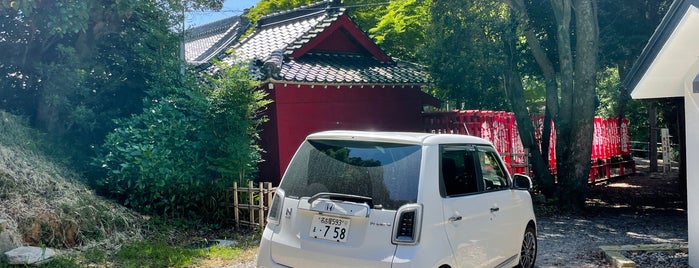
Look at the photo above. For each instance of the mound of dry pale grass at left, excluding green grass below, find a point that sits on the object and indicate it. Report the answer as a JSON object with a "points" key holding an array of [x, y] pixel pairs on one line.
{"points": [[45, 203]]}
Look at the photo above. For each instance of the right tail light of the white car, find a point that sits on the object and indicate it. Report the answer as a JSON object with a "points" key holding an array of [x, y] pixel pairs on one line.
{"points": [[406, 226]]}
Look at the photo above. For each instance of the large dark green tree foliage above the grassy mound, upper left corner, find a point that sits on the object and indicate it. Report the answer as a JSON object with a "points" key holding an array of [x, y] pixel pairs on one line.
{"points": [[73, 66]]}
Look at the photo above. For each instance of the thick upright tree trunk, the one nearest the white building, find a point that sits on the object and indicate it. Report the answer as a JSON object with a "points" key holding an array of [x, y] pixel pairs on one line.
{"points": [[579, 102]]}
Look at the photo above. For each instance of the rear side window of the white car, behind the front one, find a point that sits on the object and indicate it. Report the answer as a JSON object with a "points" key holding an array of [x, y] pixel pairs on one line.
{"points": [[458, 170]]}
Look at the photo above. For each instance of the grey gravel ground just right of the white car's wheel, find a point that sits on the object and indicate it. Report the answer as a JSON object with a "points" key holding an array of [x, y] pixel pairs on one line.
{"points": [[573, 241]]}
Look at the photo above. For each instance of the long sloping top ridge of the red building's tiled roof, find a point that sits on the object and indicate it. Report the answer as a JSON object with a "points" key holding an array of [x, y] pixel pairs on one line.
{"points": [[318, 8]]}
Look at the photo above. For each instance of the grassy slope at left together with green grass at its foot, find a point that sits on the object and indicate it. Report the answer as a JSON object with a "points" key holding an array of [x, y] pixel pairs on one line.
{"points": [[46, 205]]}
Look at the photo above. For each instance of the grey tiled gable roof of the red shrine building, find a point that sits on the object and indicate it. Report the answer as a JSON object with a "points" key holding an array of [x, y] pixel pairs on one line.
{"points": [[288, 46]]}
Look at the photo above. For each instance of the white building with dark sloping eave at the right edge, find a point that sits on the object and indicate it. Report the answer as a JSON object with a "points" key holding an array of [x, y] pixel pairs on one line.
{"points": [[669, 67]]}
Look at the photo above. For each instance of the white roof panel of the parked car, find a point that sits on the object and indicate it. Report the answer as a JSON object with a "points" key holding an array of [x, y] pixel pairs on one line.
{"points": [[398, 137]]}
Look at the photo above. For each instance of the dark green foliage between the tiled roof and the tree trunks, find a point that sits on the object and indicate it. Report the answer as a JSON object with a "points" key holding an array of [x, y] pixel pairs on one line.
{"points": [[464, 53]]}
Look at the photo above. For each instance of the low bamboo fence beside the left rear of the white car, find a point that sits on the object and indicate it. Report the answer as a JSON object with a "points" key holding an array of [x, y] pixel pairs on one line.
{"points": [[251, 204]]}
